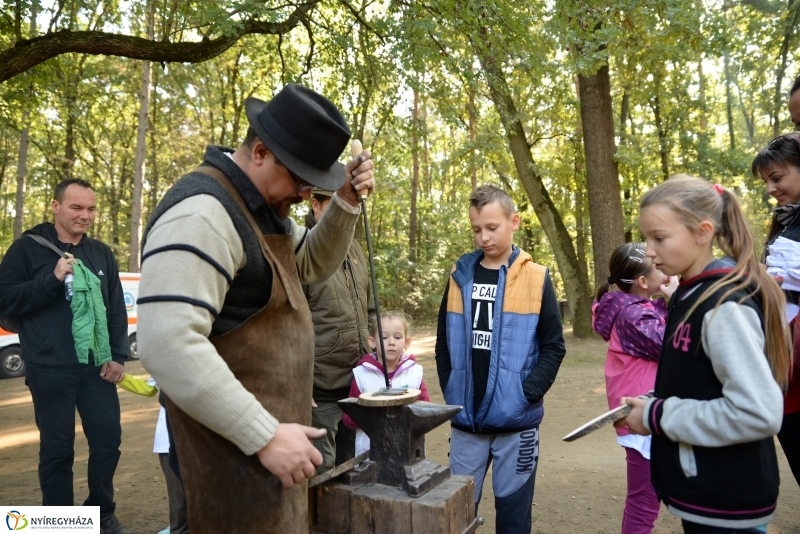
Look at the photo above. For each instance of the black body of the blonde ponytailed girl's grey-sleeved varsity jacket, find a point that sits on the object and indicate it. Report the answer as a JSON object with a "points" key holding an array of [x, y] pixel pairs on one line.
{"points": [[737, 482]]}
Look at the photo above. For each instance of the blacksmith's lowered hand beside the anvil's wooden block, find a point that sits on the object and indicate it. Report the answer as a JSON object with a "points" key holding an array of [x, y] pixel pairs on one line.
{"points": [[290, 455]]}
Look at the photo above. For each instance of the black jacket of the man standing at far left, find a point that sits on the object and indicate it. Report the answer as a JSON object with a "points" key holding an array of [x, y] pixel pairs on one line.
{"points": [[30, 291]]}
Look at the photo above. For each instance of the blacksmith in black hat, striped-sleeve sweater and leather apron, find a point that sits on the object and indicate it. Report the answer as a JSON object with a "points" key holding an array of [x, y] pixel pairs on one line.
{"points": [[223, 324]]}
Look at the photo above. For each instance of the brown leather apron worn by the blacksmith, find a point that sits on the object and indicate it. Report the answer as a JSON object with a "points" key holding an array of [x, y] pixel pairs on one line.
{"points": [[272, 355]]}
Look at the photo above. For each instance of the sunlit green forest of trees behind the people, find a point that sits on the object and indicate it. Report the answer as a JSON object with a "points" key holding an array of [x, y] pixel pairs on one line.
{"points": [[575, 107]]}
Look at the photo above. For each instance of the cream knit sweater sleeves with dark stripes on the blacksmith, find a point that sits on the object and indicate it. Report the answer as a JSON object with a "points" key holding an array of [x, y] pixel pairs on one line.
{"points": [[174, 335]]}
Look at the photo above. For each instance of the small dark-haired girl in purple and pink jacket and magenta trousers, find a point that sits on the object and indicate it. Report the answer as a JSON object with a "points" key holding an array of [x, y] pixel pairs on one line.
{"points": [[633, 324]]}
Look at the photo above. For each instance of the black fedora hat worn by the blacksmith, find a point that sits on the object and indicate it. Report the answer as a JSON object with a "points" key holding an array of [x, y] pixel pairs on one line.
{"points": [[305, 131]]}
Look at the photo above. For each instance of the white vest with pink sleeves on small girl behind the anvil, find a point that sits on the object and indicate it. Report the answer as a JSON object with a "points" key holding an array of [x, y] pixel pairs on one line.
{"points": [[368, 376]]}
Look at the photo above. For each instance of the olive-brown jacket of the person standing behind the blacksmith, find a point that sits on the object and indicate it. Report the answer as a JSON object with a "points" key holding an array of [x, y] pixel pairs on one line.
{"points": [[342, 309]]}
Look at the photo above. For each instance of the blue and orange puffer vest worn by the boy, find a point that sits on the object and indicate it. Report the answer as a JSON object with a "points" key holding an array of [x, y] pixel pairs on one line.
{"points": [[515, 346]]}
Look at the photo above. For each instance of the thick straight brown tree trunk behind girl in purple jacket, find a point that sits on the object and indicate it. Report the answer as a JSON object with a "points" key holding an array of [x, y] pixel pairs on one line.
{"points": [[602, 173]]}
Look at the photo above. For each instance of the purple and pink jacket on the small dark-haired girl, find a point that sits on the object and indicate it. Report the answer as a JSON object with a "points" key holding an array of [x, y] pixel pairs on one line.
{"points": [[634, 328]]}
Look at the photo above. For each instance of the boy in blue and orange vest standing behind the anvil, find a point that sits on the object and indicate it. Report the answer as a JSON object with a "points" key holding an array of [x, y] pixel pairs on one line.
{"points": [[499, 345]]}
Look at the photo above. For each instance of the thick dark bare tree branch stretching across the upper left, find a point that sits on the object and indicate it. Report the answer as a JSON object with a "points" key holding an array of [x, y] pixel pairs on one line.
{"points": [[27, 54]]}
